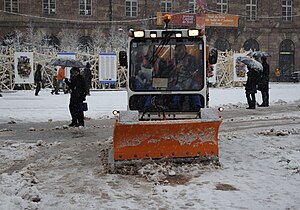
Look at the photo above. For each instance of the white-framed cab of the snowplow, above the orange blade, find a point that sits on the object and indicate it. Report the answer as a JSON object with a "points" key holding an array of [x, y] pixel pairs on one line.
{"points": [[167, 73]]}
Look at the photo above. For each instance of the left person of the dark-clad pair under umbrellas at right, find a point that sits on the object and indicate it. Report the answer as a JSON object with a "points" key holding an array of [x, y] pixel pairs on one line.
{"points": [[251, 87]]}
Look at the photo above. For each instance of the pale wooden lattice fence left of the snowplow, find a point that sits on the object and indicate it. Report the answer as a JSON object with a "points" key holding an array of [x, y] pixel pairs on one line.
{"points": [[45, 57]]}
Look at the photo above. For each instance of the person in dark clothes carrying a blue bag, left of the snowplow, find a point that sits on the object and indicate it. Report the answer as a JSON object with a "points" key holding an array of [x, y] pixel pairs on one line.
{"points": [[78, 94]]}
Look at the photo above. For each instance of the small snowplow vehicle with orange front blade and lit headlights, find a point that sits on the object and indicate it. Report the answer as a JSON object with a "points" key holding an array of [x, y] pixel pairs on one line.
{"points": [[167, 115]]}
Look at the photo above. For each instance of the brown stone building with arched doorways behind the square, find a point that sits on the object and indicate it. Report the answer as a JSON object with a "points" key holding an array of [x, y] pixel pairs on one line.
{"points": [[267, 25]]}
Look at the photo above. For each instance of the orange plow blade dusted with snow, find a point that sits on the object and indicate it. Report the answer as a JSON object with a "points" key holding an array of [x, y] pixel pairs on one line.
{"points": [[165, 139]]}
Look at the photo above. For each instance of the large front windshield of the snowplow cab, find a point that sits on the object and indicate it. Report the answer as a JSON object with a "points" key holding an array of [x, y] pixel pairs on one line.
{"points": [[166, 64]]}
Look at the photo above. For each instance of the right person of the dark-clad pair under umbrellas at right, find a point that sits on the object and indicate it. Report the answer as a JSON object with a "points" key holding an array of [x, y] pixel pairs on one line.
{"points": [[263, 85]]}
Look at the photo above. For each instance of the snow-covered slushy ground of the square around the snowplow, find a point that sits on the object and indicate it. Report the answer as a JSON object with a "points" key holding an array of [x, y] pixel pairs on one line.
{"points": [[259, 156]]}
